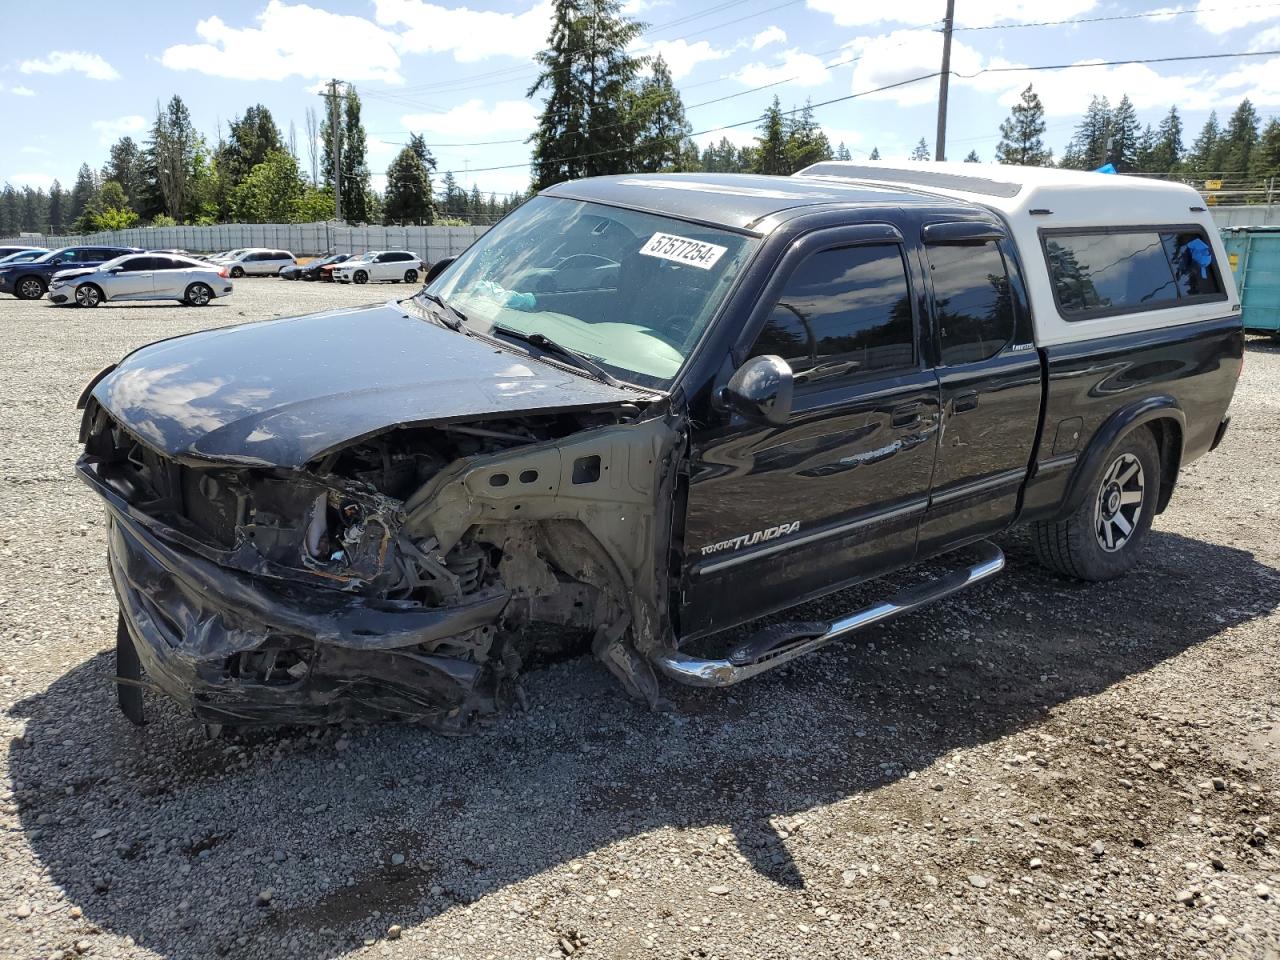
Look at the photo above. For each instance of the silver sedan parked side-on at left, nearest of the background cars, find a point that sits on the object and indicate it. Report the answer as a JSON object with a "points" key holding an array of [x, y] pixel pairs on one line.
{"points": [[141, 277]]}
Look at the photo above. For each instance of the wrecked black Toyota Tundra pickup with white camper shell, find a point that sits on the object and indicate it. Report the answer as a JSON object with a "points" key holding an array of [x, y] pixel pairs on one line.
{"points": [[644, 410]]}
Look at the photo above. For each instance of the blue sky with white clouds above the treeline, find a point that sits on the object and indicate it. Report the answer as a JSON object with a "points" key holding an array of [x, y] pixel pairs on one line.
{"points": [[74, 79]]}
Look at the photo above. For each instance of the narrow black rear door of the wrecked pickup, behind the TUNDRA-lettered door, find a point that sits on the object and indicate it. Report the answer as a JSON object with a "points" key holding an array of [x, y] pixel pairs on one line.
{"points": [[990, 381]]}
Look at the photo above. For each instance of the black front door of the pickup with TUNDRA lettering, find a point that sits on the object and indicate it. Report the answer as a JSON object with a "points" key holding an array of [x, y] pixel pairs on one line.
{"points": [[778, 514]]}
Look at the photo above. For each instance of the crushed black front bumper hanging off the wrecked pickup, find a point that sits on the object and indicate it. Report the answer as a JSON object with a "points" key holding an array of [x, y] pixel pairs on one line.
{"points": [[194, 621]]}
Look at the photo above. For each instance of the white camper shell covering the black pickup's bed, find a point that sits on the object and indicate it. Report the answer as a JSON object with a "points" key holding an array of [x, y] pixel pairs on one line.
{"points": [[1044, 207]]}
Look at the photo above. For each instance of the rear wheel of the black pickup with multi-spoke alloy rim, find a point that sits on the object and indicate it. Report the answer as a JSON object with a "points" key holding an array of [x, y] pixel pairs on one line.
{"points": [[1078, 546]]}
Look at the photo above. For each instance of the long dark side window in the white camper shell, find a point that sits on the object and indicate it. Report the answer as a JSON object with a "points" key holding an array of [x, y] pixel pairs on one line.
{"points": [[1096, 275]]}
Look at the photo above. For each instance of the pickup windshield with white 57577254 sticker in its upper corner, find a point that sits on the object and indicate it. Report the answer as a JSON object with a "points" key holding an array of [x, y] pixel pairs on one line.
{"points": [[629, 291]]}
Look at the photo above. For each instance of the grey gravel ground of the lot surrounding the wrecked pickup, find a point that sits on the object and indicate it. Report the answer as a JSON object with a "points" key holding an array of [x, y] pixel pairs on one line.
{"points": [[1037, 769]]}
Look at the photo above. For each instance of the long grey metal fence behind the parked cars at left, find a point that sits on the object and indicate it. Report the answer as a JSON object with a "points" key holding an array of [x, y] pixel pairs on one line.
{"points": [[300, 239]]}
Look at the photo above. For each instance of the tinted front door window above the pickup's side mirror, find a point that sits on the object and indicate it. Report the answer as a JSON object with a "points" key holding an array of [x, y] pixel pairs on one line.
{"points": [[844, 313]]}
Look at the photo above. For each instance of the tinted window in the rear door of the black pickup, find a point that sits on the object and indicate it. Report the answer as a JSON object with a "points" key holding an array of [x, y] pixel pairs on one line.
{"points": [[973, 301]]}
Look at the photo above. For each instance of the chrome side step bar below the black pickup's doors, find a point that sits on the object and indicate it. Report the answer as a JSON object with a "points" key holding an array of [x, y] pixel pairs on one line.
{"points": [[783, 643]]}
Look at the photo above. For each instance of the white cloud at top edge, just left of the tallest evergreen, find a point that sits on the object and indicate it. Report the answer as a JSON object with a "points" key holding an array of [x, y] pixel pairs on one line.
{"points": [[469, 35]]}
